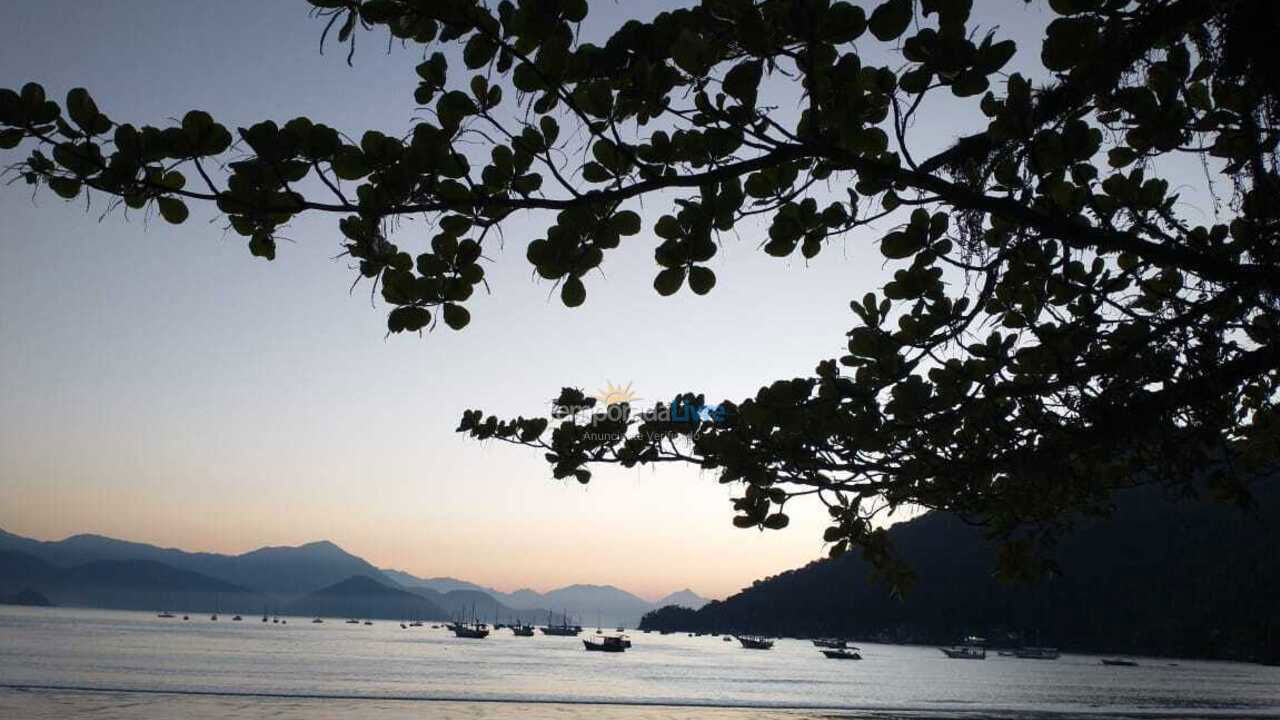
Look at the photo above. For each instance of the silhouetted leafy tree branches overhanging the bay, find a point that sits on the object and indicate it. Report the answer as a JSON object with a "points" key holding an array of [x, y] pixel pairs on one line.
{"points": [[1100, 340]]}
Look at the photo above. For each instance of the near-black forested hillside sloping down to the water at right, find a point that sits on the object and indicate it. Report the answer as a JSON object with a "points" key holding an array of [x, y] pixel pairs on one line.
{"points": [[1162, 577]]}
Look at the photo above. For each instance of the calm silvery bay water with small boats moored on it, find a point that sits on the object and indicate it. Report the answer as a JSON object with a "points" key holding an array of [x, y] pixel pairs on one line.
{"points": [[60, 663]]}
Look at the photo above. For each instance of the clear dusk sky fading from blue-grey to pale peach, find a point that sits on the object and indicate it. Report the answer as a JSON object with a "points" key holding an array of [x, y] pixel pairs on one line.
{"points": [[161, 385]]}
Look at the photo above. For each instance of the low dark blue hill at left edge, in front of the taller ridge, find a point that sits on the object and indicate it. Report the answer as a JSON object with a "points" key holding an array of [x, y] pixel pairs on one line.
{"points": [[127, 585]]}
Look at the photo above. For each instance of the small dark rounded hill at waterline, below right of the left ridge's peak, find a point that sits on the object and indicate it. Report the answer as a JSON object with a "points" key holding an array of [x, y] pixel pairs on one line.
{"points": [[365, 598]]}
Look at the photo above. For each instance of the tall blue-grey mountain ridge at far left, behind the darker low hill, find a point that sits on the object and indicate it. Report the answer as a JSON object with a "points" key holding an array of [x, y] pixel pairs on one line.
{"points": [[277, 571]]}
